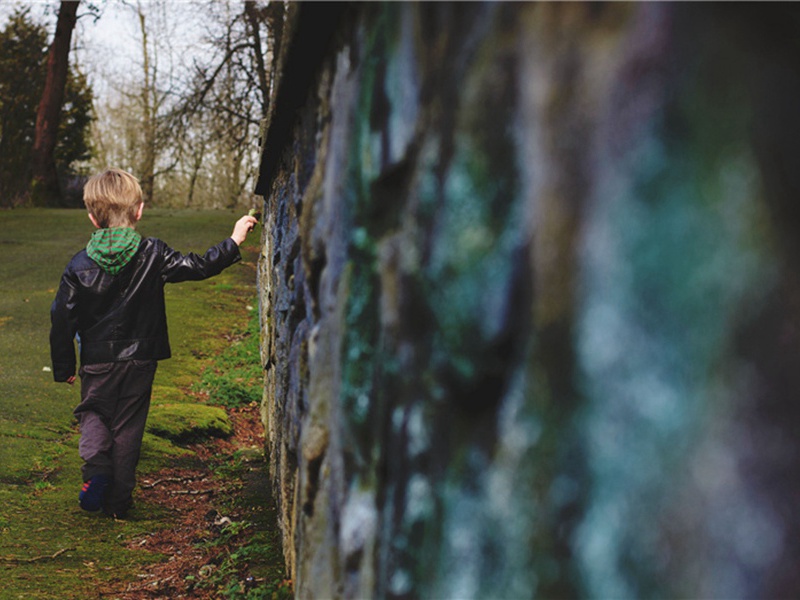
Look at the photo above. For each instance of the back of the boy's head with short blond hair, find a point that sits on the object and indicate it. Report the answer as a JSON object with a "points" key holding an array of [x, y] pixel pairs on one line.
{"points": [[113, 198]]}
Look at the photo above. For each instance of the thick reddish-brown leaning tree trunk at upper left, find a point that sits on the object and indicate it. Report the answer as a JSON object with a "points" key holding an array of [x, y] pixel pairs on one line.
{"points": [[44, 177]]}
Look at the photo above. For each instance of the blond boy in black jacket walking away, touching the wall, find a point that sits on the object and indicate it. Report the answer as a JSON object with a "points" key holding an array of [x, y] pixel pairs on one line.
{"points": [[112, 297]]}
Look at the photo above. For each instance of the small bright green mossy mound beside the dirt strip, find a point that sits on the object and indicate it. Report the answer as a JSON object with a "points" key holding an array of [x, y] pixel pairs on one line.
{"points": [[184, 423]]}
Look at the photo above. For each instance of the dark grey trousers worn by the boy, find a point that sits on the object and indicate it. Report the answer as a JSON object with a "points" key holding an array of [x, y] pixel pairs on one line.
{"points": [[115, 398]]}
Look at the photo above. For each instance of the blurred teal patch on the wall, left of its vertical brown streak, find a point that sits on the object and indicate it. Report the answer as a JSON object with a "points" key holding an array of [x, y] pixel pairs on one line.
{"points": [[471, 199]]}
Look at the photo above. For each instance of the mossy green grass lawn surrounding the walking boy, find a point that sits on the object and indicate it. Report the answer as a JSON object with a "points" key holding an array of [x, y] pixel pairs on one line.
{"points": [[49, 548]]}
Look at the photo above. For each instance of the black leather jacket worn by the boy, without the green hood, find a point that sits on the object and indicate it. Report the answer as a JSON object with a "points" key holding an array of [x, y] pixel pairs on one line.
{"points": [[122, 317]]}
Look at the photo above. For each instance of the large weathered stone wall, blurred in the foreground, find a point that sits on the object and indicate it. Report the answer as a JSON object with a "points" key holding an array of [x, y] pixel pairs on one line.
{"points": [[531, 301]]}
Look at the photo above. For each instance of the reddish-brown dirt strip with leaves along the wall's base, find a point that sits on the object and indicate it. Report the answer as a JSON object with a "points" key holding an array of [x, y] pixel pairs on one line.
{"points": [[222, 541]]}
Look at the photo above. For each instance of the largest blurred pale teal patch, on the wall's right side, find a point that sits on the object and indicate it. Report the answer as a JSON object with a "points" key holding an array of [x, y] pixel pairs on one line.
{"points": [[678, 262]]}
